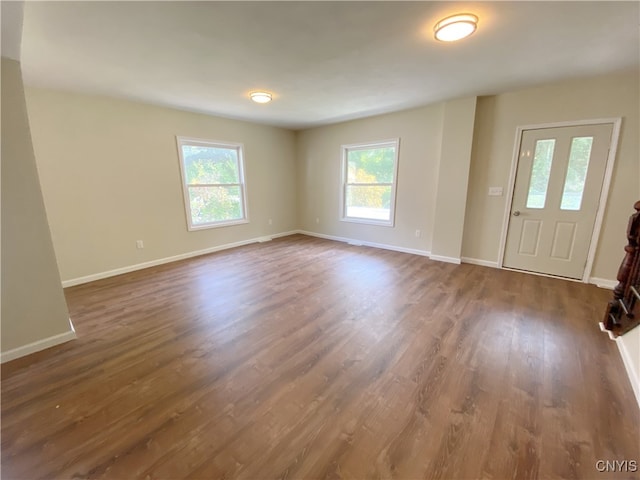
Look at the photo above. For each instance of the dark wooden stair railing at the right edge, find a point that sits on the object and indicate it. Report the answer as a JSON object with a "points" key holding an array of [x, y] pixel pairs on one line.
{"points": [[623, 312]]}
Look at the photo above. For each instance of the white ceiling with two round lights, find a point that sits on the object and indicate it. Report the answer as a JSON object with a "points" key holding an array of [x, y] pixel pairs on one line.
{"points": [[324, 61]]}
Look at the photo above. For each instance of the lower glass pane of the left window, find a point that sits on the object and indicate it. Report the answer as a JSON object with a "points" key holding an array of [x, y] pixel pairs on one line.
{"points": [[215, 204]]}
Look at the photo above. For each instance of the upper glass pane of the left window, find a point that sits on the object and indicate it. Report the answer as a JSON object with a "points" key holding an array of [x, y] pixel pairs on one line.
{"points": [[207, 165]]}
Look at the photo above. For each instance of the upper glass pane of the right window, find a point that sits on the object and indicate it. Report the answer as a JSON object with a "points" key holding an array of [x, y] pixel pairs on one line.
{"points": [[371, 165]]}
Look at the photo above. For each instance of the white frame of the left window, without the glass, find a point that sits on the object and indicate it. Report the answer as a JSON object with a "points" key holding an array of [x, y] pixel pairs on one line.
{"points": [[239, 147]]}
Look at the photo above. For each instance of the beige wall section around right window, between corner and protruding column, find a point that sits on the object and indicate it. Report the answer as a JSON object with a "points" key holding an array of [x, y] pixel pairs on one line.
{"points": [[319, 181]]}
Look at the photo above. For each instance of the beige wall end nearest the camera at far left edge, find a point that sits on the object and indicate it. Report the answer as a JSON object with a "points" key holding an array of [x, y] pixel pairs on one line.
{"points": [[33, 304]]}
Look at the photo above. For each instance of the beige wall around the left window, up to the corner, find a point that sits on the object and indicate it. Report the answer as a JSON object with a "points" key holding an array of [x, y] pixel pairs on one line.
{"points": [[110, 176]]}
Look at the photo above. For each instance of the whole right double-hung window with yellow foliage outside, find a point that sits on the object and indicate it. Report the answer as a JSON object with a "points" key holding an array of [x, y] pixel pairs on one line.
{"points": [[369, 182]]}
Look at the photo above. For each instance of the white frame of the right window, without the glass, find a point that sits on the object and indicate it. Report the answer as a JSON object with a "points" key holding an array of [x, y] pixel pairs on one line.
{"points": [[395, 143]]}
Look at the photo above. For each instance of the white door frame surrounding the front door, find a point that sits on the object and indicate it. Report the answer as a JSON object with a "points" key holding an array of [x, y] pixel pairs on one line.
{"points": [[604, 193]]}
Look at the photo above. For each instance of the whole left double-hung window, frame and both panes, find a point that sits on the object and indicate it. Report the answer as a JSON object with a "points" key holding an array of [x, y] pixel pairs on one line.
{"points": [[212, 182]]}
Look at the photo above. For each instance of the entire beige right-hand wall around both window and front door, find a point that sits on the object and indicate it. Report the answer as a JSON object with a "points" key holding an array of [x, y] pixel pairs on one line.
{"points": [[421, 132]]}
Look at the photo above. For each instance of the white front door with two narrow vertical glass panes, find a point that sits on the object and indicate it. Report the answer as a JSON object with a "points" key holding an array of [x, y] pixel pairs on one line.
{"points": [[555, 199]]}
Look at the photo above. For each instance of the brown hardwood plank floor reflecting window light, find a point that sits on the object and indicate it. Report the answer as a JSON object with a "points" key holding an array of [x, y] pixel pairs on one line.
{"points": [[306, 358]]}
